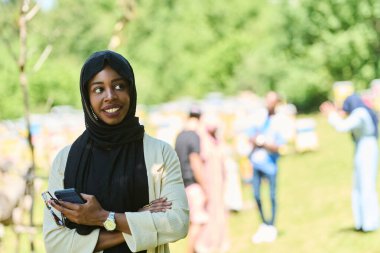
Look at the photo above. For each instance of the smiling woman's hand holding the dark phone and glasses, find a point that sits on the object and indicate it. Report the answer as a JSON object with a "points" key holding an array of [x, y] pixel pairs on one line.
{"points": [[89, 213]]}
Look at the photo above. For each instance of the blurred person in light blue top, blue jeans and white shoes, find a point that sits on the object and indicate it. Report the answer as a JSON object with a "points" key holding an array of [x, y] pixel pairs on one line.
{"points": [[266, 140]]}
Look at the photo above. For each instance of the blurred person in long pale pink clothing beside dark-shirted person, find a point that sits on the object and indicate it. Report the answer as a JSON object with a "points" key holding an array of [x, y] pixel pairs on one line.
{"points": [[214, 234]]}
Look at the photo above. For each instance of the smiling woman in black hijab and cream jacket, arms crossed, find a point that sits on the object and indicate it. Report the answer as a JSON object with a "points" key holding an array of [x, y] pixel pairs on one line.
{"points": [[132, 183]]}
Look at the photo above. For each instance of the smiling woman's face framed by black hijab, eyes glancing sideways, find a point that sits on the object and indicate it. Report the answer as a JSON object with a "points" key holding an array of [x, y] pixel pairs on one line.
{"points": [[109, 96]]}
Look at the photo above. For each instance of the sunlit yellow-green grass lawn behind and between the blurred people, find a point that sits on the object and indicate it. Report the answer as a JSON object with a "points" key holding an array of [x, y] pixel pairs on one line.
{"points": [[314, 206]]}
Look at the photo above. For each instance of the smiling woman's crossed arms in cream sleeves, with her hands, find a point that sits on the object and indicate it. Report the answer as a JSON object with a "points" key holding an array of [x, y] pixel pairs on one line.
{"points": [[141, 230]]}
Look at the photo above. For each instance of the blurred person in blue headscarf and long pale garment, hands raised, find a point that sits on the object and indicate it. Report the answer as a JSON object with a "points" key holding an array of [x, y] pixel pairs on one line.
{"points": [[362, 122]]}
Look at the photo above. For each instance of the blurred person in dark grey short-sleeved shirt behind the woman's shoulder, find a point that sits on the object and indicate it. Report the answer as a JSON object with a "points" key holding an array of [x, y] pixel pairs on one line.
{"points": [[188, 148]]}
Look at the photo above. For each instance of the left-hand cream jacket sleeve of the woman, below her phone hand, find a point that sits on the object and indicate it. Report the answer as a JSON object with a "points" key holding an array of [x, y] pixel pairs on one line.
{"points": [[61, 239]]}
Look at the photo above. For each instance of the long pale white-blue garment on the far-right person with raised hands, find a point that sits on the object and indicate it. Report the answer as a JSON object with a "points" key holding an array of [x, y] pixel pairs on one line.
{"points": [[364, 196]]}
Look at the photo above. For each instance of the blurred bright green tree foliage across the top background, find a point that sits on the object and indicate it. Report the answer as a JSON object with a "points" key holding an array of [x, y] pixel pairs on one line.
{"points": [[191, 47]]}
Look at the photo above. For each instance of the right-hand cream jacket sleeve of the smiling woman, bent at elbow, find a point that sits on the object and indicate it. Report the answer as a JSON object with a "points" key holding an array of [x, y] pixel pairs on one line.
{"points": [[150, 230]]}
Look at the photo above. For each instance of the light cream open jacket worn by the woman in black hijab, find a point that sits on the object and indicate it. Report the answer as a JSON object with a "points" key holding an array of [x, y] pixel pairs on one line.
{"points": [[150, 231]]}
